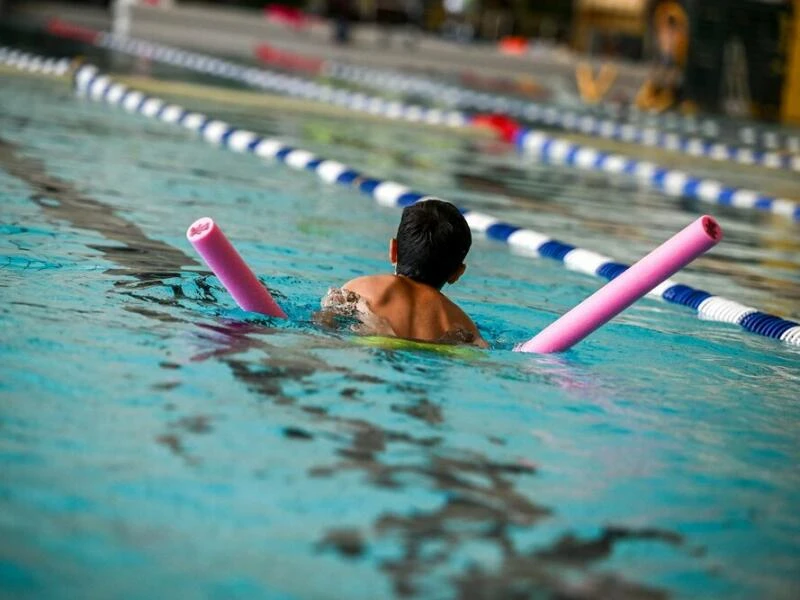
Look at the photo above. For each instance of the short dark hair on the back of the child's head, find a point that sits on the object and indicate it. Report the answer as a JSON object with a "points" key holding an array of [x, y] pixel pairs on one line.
{"points": [[433, 240]]}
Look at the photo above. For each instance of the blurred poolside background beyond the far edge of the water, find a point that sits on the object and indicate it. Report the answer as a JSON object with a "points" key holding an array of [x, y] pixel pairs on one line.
{"points": [[740, 58]]}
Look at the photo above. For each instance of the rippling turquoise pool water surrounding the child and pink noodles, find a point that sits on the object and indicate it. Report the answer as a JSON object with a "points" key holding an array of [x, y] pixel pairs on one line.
{"points": [[155, 440]]}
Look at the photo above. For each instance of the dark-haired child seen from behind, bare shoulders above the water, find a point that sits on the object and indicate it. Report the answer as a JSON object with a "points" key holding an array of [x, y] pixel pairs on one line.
{"points": [[431, 244]]}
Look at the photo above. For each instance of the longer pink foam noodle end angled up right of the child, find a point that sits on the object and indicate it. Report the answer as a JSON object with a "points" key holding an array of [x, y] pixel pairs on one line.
{"points": [[619, 293]]}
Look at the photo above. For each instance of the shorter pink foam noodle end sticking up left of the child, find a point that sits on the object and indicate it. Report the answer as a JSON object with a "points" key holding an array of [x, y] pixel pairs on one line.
{"points": [[223, 259]]}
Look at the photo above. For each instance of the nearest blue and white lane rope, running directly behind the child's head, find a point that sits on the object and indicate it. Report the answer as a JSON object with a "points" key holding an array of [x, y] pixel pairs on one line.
{"points": [[92, 84]]}
